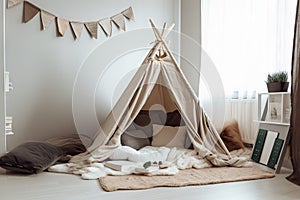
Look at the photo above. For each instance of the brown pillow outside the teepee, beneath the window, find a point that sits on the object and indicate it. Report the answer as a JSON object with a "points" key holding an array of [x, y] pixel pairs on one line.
{"points": [[231, 136]]}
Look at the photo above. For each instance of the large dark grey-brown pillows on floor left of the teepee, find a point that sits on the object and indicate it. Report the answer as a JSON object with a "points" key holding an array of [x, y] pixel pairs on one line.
{"points": [[36, 156]]}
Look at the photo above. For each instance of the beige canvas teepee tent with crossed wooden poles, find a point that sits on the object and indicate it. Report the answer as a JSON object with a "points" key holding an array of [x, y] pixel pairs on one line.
{"points": [[159, 80]]}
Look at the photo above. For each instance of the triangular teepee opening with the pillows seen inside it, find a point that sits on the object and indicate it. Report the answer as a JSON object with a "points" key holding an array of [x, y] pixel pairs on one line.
{"points": [[158, 123]]}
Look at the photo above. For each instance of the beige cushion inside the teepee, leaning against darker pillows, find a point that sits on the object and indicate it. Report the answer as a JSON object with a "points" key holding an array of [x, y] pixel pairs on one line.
{"points": [[168, 136]]}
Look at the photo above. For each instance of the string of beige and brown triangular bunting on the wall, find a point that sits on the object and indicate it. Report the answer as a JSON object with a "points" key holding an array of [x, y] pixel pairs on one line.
{"points": [[30, 11]]}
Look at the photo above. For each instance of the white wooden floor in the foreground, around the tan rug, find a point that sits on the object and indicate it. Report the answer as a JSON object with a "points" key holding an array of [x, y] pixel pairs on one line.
{"points": [[55, 186]]}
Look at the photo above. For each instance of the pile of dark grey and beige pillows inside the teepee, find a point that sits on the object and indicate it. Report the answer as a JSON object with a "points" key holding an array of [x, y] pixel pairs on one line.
{"points": [[156, 128]]}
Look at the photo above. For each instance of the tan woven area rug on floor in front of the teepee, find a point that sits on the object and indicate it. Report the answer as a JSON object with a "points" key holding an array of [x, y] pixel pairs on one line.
{"points": [[183, 178]]}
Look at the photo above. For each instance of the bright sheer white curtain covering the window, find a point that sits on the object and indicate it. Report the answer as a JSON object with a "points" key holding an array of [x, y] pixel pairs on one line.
{"points": [[247, 39]]}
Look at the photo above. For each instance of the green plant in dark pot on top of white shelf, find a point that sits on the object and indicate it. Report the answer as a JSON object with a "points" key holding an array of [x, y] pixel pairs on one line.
{"points": [[277, 82]]}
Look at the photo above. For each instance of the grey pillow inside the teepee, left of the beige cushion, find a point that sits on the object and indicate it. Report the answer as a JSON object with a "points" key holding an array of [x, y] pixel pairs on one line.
{"points": [[135, 139]]}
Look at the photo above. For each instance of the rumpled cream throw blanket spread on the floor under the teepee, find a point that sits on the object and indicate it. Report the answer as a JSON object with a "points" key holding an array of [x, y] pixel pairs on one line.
{"points": [[178, 159]]}
